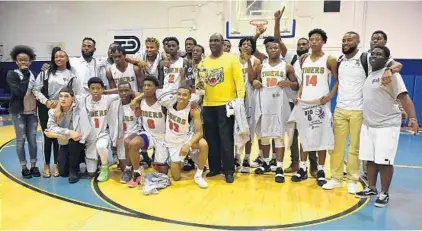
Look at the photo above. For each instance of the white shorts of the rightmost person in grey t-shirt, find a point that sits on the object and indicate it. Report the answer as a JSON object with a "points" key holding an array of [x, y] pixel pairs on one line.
{"points": [[379, 144]]}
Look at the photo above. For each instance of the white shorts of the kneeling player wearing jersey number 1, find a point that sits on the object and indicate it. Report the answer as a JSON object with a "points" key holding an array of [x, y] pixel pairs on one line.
{"points": [[93, 149]]}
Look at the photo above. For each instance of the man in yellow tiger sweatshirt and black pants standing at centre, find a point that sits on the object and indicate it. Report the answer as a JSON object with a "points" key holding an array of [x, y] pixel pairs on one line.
{"points": [[221, 79]]}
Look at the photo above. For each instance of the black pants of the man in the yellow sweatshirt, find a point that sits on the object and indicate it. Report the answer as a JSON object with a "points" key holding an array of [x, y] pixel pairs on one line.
{"points": [[218, 131]]}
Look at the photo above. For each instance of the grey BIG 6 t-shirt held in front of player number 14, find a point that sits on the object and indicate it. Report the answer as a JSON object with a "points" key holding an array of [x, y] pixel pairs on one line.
{"points": [[314, 123]]}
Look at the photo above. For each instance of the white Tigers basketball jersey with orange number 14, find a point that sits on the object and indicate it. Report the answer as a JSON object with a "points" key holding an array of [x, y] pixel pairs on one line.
{"points": [[316, 78]]}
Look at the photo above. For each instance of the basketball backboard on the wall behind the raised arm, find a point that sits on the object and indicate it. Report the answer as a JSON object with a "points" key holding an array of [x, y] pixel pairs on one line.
{"points": [[242, 12]]}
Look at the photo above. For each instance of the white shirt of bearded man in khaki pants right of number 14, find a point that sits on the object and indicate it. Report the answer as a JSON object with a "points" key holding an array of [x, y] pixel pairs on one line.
{"points": [[351, 80]]}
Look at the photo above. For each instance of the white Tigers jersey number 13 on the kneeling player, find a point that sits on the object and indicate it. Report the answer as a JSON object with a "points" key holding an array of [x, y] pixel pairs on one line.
{"points": [[178, 126]]}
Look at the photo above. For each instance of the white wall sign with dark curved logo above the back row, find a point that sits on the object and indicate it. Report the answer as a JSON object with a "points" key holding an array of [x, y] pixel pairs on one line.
{"points": [[128, 39]]}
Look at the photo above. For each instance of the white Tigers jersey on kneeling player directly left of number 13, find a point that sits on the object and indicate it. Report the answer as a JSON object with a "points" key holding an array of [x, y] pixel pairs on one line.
{"points": [[153, 119]]}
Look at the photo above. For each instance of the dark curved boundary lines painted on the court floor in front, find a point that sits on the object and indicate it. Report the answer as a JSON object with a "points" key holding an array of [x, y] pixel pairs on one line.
{"points": [[132, 213]]}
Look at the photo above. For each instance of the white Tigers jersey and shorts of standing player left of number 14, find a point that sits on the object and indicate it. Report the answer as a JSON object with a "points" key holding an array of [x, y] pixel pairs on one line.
{"points": [[272, 106]]}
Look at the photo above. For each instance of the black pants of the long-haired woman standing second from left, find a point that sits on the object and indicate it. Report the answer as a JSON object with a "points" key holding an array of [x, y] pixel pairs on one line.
{"points": [[48, 142]]}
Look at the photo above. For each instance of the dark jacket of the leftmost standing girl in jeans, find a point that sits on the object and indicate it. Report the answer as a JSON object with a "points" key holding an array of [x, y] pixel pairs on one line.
{"points": [[18, 89]]}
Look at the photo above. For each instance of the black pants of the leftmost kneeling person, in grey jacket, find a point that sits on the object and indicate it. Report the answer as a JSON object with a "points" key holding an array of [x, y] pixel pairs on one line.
{"points": [[69, 158]]}
